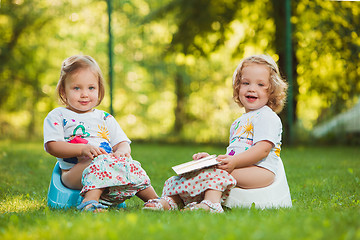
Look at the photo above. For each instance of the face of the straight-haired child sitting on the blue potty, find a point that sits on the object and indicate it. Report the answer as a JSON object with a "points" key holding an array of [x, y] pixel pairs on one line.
{"points": [[82, 91]]}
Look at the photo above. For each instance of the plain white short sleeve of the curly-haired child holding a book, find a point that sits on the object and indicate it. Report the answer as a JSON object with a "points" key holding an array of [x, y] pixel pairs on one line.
{"points": [[267, 127]]}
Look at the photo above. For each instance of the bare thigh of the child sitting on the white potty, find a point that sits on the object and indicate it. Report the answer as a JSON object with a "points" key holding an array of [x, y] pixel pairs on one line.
{"points": [[253, 177]]}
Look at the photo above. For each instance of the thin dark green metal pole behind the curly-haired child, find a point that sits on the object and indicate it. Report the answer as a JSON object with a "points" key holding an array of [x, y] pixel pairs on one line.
{"points": [[289, 69]]}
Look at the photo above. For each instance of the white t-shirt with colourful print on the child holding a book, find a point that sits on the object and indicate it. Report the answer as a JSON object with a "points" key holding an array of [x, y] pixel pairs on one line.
{"points": [[255, 126]]}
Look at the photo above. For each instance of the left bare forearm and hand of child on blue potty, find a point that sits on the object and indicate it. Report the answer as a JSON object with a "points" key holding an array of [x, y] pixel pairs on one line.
{"points": [[67, 150]]}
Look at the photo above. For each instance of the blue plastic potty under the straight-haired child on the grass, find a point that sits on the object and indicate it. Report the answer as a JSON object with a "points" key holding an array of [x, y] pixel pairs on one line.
{"points": [[61, 197]]}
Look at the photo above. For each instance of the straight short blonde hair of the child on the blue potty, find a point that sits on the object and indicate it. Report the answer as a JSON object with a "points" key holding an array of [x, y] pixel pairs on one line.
{"points": [[73, 64]]}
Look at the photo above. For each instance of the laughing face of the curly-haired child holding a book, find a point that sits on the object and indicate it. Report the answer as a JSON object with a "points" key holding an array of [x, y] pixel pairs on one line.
{"points": [[254, 85]]}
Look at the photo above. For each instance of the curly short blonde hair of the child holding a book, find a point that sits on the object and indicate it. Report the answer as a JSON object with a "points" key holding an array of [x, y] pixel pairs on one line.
{"points": [[278, 87]]}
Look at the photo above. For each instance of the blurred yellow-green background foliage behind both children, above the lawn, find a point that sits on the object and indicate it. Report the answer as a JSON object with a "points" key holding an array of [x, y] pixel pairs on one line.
{"points": [[174, 60]]}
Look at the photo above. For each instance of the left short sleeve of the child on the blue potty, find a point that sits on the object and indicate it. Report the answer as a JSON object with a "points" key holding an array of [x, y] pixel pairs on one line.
{"points": [[53, 127]]}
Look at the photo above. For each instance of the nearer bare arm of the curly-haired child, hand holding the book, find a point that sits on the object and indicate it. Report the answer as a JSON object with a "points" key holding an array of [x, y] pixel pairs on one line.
{"points": [[247, 158]]}
